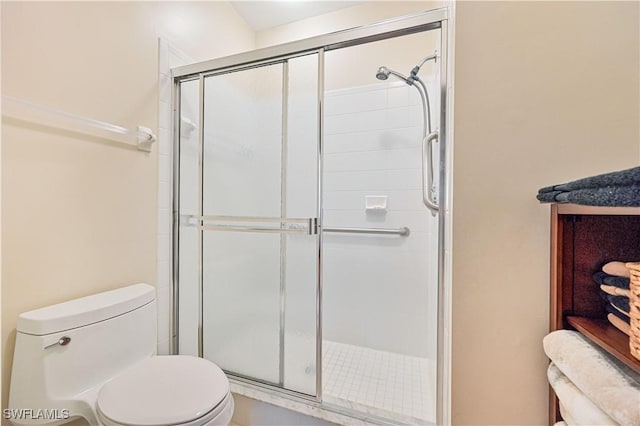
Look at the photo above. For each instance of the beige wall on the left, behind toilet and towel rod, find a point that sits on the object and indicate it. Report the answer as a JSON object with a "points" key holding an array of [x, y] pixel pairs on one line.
{"points": [[79, 215]]}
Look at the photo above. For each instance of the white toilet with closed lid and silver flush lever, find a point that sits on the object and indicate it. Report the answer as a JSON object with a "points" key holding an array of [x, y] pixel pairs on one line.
{"points": [[95, 358]]}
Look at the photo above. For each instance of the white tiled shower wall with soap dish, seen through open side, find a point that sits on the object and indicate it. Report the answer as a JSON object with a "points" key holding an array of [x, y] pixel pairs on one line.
{"points": [[379, 291]]}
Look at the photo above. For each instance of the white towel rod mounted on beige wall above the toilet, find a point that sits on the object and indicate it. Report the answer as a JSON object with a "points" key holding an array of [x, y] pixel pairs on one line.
{"points": [[145, 138]]}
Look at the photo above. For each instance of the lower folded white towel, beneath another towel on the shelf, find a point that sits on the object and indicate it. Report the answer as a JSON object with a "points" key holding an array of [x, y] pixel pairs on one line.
{"points": [[576, 408]]}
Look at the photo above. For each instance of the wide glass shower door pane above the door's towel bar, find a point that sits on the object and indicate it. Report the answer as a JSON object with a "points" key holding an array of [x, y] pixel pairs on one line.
{"points": [[243, 143]]}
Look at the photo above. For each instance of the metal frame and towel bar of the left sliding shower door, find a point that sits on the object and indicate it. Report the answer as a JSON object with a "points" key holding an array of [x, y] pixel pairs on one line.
{"points": [[309, 226]]}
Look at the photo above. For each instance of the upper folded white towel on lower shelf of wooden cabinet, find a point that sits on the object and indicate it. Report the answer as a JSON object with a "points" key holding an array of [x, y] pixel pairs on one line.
{"points": [[610, 385]]}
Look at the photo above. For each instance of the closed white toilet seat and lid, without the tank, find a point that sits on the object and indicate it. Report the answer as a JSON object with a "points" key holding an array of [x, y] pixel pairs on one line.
{"points": [[165, 390]]}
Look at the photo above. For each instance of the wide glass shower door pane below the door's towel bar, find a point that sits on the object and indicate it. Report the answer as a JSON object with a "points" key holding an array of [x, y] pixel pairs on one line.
{"points": [[242, 303]]}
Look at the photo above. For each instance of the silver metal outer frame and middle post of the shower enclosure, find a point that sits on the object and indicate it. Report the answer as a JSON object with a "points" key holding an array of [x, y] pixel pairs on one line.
{"points": [[415, 23]]}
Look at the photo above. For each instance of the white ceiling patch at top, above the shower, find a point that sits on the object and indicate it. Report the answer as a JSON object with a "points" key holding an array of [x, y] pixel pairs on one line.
{"points": [[261, 15]]}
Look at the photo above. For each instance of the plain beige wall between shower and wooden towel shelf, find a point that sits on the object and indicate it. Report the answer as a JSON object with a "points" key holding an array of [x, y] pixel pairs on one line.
{"points": [[544, 93]]}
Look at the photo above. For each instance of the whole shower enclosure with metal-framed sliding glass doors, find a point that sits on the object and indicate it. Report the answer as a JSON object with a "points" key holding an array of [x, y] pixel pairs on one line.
{"points": [[309, 216]]}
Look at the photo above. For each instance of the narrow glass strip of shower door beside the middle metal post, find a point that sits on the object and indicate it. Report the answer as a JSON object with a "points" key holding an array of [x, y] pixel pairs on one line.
{"points": [[301, 252]]}
